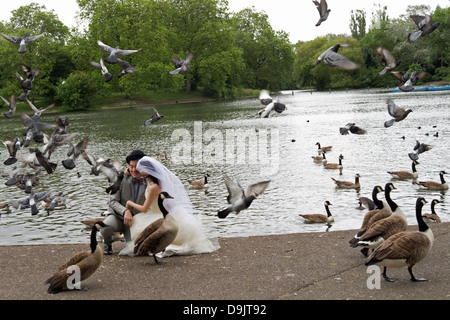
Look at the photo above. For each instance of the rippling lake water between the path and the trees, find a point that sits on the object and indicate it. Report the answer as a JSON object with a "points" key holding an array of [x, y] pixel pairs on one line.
{"points": [[198, 139]]}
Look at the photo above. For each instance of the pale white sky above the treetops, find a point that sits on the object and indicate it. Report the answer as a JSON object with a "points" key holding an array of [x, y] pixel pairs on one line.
{"points": [[296, 17]]}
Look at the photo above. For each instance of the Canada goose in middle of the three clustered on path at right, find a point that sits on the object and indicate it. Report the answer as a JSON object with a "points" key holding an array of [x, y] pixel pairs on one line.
{"points": [[382, 229]]}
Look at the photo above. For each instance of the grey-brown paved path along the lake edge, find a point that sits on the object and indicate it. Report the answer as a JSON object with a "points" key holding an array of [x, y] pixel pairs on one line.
{"points": [[313, 266]]}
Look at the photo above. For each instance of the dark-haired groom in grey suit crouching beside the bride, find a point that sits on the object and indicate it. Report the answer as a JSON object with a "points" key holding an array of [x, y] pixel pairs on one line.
{"points": [[119, 218]]}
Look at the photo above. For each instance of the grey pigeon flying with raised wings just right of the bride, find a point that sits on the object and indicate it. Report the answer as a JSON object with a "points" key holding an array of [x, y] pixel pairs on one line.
{"points": [[237, 198]]}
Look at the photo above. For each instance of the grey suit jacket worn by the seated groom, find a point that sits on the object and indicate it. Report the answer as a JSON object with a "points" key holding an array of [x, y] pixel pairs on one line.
{"points": [[126, 192]]}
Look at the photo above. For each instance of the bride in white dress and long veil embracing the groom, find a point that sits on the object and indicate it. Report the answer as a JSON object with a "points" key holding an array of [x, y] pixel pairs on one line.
{"points": [[190, 238]]}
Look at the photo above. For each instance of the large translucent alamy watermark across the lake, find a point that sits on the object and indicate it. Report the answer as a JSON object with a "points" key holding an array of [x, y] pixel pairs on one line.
{"points": [[231, 146]]}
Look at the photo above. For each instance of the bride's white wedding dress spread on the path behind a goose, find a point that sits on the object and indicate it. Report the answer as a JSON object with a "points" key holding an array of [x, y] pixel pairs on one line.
{"points": [[190, 238]]}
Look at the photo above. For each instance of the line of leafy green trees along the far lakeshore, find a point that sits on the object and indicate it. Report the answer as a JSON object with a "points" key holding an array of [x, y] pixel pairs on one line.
{"points": [[232, 50]]}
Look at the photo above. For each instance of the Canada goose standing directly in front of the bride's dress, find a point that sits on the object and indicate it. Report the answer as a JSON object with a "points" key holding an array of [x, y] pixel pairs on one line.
{"points": [[159, 234]]}
